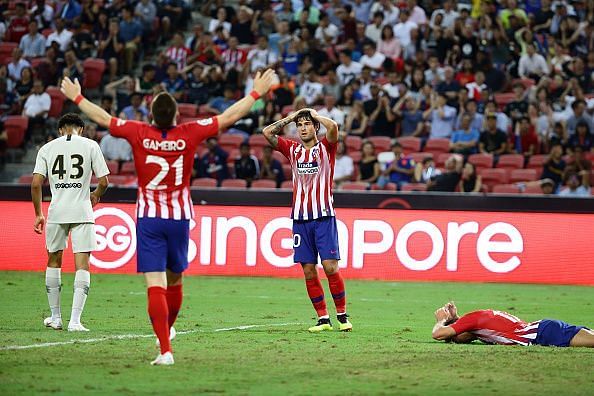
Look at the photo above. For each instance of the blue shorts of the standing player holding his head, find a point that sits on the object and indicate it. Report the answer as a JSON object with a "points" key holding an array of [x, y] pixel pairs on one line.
{"points": [[315, 237]]}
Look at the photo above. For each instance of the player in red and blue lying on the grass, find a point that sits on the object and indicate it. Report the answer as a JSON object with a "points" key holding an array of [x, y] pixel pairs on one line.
{"points": [[498, 327]]}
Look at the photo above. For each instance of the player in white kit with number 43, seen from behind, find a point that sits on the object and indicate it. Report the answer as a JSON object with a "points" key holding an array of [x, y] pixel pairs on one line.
{"points": [[68, 162]]}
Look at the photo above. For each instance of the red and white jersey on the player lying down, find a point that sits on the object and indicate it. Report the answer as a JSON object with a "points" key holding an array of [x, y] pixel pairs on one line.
{"points": [[497, 327]]}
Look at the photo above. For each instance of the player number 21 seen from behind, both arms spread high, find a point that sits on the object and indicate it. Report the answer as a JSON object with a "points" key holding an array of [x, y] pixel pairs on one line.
{"points": [[164, 156]]}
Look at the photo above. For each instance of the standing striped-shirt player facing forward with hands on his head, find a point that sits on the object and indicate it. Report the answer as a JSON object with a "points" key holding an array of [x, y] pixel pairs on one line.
{"points": [[314, 222]]}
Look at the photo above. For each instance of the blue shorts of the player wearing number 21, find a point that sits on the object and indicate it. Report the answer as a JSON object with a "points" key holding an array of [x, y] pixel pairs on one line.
{"points": [[162, 244]]}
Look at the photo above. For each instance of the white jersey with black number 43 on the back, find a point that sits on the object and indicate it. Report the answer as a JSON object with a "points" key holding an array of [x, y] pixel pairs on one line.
{"points": [[69, 162]]}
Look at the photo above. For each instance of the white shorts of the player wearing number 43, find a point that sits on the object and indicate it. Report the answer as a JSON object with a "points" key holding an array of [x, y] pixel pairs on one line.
{"points": [[83, 237]]}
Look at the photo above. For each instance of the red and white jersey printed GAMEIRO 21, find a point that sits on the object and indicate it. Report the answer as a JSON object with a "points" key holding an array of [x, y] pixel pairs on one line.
{"points": [[164, 160]]}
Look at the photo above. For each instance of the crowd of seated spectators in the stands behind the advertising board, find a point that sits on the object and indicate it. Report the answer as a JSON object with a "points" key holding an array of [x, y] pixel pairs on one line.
{"points": [[438, 95]]}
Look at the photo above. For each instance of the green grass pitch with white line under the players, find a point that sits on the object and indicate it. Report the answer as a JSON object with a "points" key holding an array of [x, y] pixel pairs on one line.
{"points": [[390, 350]]}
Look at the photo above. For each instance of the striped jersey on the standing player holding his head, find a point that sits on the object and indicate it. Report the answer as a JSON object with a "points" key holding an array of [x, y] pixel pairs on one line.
{"points": [[313, 174]]}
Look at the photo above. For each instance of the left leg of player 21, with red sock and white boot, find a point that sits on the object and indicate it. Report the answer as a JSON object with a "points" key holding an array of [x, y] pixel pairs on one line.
{"points": [[156, 283]]}
